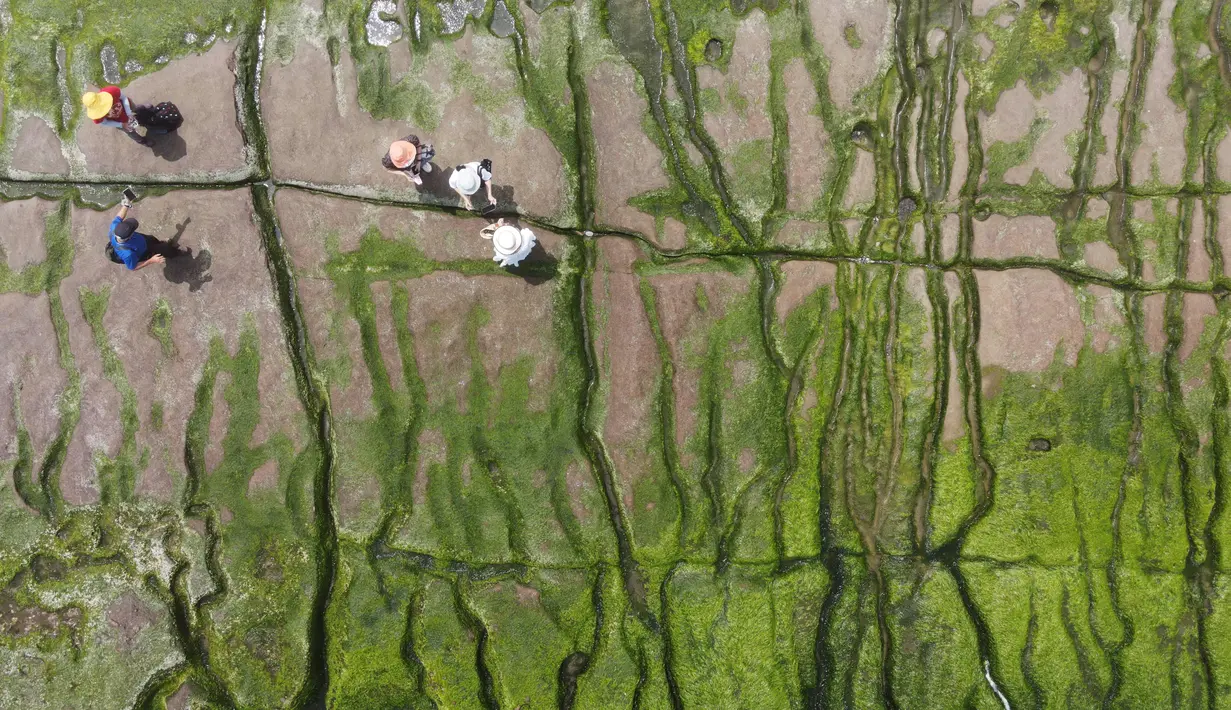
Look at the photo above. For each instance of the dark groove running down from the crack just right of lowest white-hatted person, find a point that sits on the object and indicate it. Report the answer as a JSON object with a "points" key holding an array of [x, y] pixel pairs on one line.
{"points": [[596, 451]]}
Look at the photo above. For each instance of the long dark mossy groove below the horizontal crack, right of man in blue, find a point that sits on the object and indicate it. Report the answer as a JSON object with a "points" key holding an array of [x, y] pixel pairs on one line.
{"points": [[316, 403]]}
